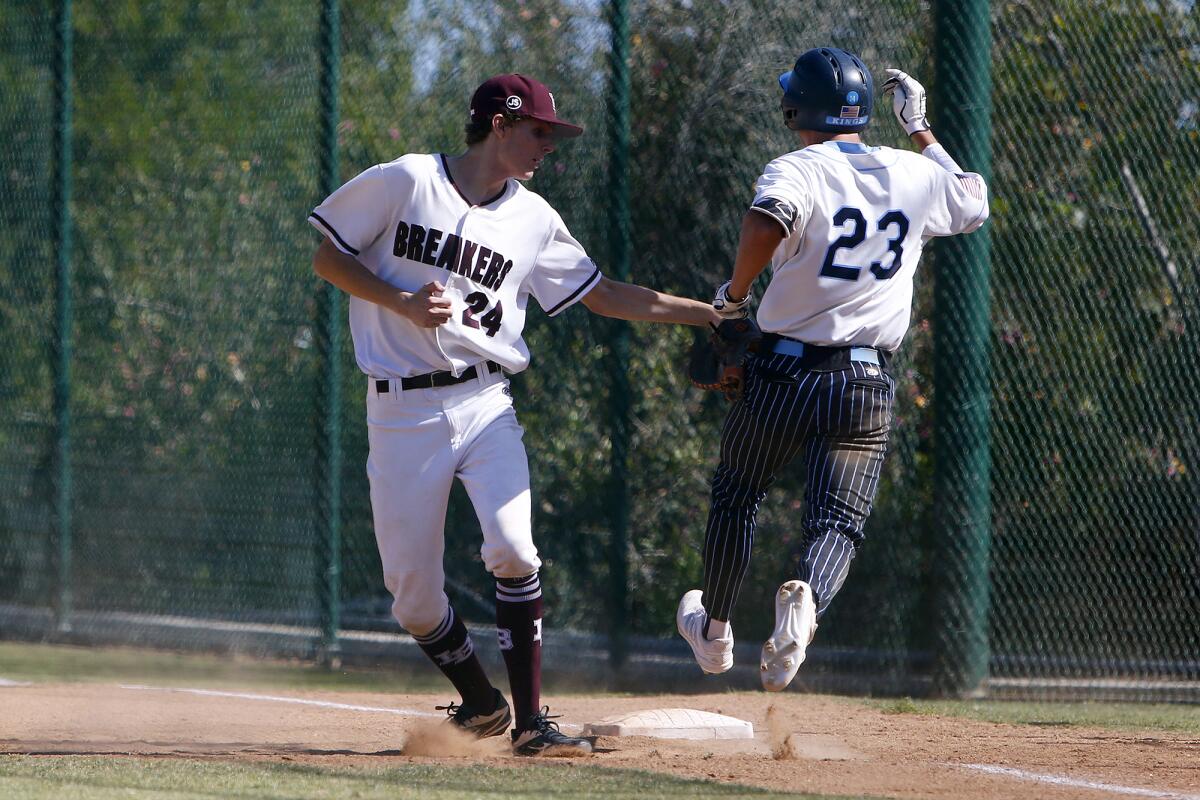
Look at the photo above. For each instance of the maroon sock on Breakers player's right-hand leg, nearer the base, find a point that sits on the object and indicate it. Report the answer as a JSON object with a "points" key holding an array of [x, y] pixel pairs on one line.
{"points": [[519, 630]]}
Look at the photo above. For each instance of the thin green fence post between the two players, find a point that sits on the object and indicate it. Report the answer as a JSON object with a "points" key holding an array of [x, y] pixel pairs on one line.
{"points": [[621, 246]]}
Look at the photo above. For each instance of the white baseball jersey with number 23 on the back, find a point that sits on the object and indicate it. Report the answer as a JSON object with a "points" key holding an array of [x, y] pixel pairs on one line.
{"points": [[855, 222]]}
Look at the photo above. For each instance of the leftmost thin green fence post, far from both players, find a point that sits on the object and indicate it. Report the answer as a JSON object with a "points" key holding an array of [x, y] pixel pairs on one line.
{"points": [[61, 206]]}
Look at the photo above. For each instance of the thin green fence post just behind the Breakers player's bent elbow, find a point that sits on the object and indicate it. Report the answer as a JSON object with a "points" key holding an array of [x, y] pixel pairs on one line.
{"points": [[328, 340]]}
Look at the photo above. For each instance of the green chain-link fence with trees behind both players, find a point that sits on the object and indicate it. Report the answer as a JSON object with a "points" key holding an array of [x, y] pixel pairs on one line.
{"points": [[163, 157]]}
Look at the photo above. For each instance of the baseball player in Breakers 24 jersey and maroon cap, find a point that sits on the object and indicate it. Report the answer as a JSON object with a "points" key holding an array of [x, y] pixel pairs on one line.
{"points": [[441, 256]]}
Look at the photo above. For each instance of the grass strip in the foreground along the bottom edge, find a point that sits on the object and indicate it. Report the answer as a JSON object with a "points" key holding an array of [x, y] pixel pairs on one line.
{"points": [[29, 778]]}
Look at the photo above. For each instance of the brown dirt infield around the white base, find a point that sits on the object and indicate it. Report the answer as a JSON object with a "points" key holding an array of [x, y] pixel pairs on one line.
{"points": [[803, 743]]}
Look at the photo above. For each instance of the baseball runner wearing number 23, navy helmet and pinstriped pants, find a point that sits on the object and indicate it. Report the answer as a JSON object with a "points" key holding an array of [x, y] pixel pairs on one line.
{"points": [[843, 225]]}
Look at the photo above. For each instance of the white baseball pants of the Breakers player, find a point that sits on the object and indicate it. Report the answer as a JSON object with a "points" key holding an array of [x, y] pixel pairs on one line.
{"points": [[423, 440]]}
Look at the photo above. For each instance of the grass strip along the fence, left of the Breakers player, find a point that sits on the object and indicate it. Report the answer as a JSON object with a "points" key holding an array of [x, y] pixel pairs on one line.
{"points": [[55, 664]]}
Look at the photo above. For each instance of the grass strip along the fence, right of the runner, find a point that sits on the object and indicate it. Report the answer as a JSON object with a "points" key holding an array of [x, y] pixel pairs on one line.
{"points": [[1120, 717]]}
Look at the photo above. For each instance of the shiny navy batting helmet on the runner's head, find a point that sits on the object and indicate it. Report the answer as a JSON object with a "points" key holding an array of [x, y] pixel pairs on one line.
{"points": [[829, 91]]}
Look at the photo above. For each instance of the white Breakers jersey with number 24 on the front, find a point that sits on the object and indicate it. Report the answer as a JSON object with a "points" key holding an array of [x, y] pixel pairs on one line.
{"points": [[410, 225]]}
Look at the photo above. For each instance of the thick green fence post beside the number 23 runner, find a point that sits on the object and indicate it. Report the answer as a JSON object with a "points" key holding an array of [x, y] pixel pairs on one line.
{"points": [[962, 107]]}
